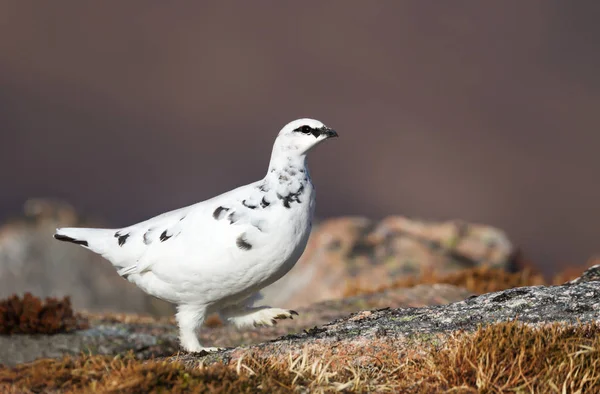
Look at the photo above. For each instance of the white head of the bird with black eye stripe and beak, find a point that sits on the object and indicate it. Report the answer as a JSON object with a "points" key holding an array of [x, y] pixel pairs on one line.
{"points": [[301, 135]]}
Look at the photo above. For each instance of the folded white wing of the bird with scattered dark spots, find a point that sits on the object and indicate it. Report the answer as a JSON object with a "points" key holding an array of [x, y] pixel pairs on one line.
{"points": [[214, 231]]}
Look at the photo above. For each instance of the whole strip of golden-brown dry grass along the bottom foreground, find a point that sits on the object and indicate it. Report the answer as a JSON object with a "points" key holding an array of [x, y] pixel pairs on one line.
{"points": [[506, 357]]}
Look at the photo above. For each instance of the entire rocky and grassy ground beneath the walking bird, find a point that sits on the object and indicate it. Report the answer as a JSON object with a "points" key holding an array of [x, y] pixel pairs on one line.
{"points": [[529, 338]]}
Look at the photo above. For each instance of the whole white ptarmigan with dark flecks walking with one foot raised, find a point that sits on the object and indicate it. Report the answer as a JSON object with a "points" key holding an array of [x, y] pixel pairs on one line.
{"points": [[216, 255]]}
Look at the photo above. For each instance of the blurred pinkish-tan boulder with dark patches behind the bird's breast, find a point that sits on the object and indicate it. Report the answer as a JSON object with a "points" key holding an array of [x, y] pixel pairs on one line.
{"points": [[369, 255]]}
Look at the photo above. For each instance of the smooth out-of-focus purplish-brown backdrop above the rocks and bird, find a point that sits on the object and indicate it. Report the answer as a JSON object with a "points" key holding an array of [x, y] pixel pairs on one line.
{"points": [[484, 112]]}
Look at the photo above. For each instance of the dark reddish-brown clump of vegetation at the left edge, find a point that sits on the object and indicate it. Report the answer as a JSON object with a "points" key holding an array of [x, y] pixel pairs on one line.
{"points": [[29, 315]]}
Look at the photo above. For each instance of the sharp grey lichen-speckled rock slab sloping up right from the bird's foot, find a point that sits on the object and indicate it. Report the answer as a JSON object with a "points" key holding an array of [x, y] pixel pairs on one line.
{"points": [[365, 333]]}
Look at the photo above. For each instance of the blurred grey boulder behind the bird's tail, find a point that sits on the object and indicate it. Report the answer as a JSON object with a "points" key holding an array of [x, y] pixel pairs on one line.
{"points": [[32, 261]]}
